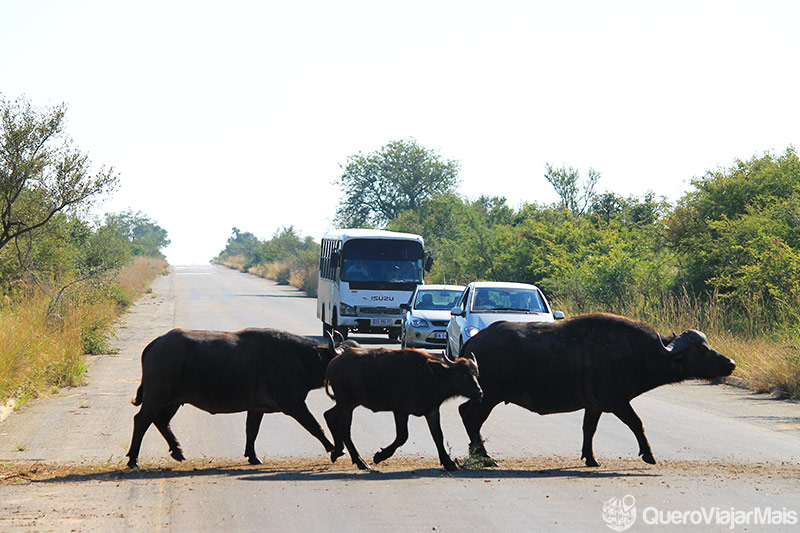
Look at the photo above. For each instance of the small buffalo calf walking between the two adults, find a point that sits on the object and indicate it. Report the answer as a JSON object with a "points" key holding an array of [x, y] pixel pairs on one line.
{"points": [[406, 382]]}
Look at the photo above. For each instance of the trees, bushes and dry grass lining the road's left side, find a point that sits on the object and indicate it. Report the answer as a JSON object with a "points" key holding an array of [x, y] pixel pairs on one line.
{"points": [[63, 278]]}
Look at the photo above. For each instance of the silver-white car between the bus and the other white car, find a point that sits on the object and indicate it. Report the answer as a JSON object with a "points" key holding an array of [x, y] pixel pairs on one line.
{"points": [[427, 315]]}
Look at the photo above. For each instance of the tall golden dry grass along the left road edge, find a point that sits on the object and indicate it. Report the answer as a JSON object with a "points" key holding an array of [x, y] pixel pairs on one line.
{"points": [[42, 348]]}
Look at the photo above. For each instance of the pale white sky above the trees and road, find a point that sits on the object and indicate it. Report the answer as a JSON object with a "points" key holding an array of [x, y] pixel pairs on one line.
{"points": [[240, 113]]}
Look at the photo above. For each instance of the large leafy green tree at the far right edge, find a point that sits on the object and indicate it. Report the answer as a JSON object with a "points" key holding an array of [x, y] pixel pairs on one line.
{"points": [[714, 225]]}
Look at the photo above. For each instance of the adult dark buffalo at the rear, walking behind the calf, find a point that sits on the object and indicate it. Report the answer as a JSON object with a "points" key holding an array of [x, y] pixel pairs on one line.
{"points": [[254, 370]]}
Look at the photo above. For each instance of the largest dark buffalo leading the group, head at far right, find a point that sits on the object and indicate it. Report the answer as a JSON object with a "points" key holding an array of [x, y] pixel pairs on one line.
{"points": [[595, 362]]}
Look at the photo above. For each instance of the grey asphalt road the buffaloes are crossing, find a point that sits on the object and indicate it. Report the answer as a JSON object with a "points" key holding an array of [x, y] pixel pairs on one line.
{"points": [[724, 455]]}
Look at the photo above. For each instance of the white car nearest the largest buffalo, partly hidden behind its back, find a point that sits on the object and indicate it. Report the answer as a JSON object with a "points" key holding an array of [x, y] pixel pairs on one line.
{"points": [[485, 302]]}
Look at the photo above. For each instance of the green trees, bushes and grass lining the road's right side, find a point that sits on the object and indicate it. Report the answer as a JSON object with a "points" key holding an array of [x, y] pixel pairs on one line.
{"points": [[725, 258]]}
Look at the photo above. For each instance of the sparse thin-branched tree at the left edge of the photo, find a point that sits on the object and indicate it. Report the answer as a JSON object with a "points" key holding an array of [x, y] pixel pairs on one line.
{"points": [[41, 174]]}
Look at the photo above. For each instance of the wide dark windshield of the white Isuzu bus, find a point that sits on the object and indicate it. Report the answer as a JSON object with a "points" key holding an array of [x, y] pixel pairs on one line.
{"points": [[385, 260]]}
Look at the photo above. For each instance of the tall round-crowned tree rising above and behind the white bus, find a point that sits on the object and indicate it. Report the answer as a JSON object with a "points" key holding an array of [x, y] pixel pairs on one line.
{"points": [[377, 187]]}
